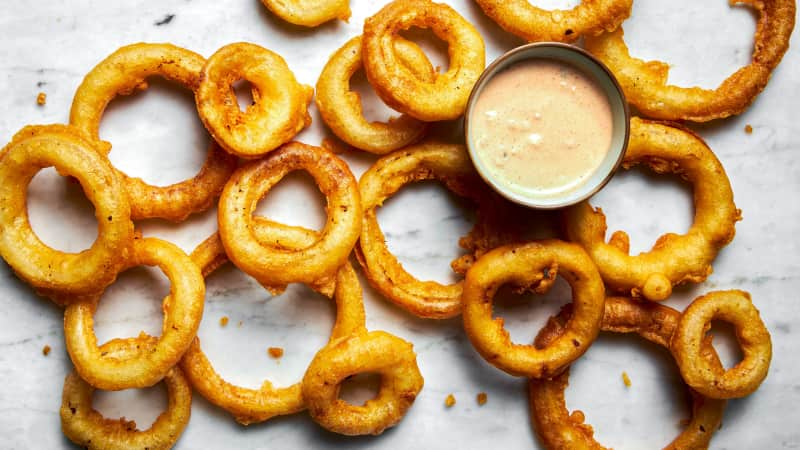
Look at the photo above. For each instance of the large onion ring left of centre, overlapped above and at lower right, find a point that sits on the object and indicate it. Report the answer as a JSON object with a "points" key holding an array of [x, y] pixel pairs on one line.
{"points": [[257, 405]]}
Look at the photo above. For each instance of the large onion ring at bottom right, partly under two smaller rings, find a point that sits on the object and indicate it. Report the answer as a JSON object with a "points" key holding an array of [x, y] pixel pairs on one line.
{"points": [[558, 429]]}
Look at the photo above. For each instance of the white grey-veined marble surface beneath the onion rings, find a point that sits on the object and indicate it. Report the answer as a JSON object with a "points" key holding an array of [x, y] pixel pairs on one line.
{"points": [[49, 45]]}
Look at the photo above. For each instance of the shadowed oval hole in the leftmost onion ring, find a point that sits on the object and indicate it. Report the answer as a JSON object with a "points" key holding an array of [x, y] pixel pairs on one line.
{"points": [[59, 212]]}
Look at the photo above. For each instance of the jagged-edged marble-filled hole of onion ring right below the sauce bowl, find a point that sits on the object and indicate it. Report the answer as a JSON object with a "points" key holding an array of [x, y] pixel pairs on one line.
{"points": [[637, 201]]}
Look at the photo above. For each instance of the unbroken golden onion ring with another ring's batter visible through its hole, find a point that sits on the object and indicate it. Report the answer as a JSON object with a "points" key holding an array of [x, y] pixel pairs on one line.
{"points": [[271, 265]]}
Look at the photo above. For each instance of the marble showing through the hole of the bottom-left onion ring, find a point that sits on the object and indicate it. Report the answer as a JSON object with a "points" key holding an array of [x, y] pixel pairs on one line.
{"points": [[142, 406]]}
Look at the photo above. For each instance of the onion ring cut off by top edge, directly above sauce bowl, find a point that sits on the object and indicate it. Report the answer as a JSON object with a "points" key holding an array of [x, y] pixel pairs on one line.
{"points": [[590, 17]]}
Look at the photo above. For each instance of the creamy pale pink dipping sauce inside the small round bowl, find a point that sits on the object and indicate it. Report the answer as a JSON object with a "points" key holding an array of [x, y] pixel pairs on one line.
{"points": [[541, 128]]}
